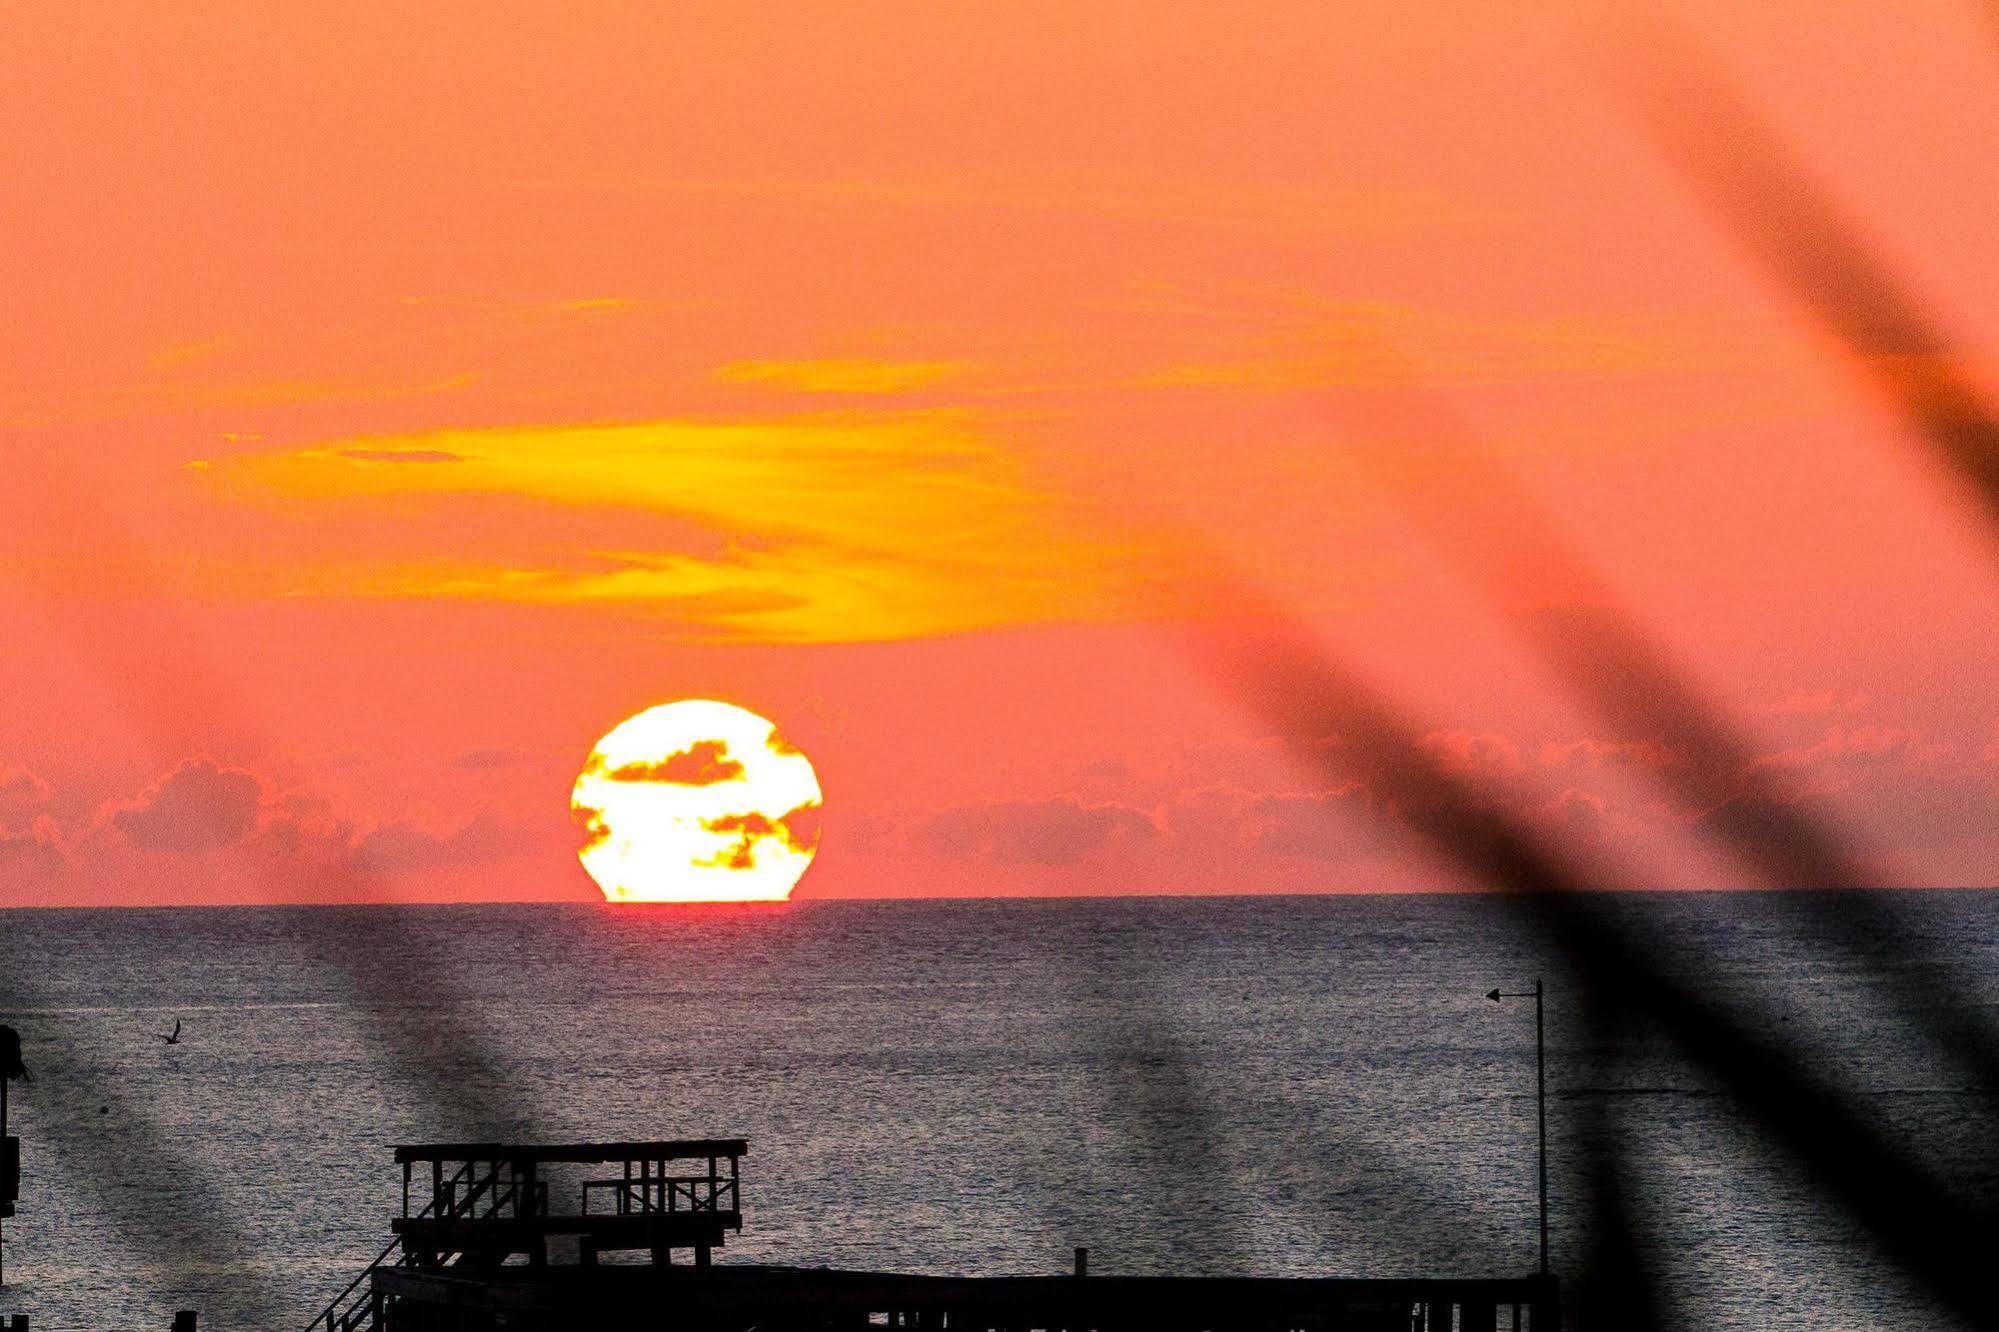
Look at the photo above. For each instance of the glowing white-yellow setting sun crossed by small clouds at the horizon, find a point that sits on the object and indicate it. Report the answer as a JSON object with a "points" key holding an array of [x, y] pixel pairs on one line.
{"points": [[697, 801]]}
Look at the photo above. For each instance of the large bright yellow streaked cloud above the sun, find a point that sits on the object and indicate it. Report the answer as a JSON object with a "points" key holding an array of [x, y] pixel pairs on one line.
{"points": [[837, 529]]}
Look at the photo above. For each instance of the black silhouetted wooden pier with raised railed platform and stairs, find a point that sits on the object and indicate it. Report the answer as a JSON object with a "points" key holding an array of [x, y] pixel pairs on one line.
{"points": [[481, 1245]]}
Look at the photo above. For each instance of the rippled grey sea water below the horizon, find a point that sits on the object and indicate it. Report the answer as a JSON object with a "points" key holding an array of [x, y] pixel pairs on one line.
{"points": [[1280, 1087]]}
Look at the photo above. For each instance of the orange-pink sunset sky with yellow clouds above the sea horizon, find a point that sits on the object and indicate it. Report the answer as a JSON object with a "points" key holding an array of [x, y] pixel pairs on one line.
{"points": [[395, 403]]}
